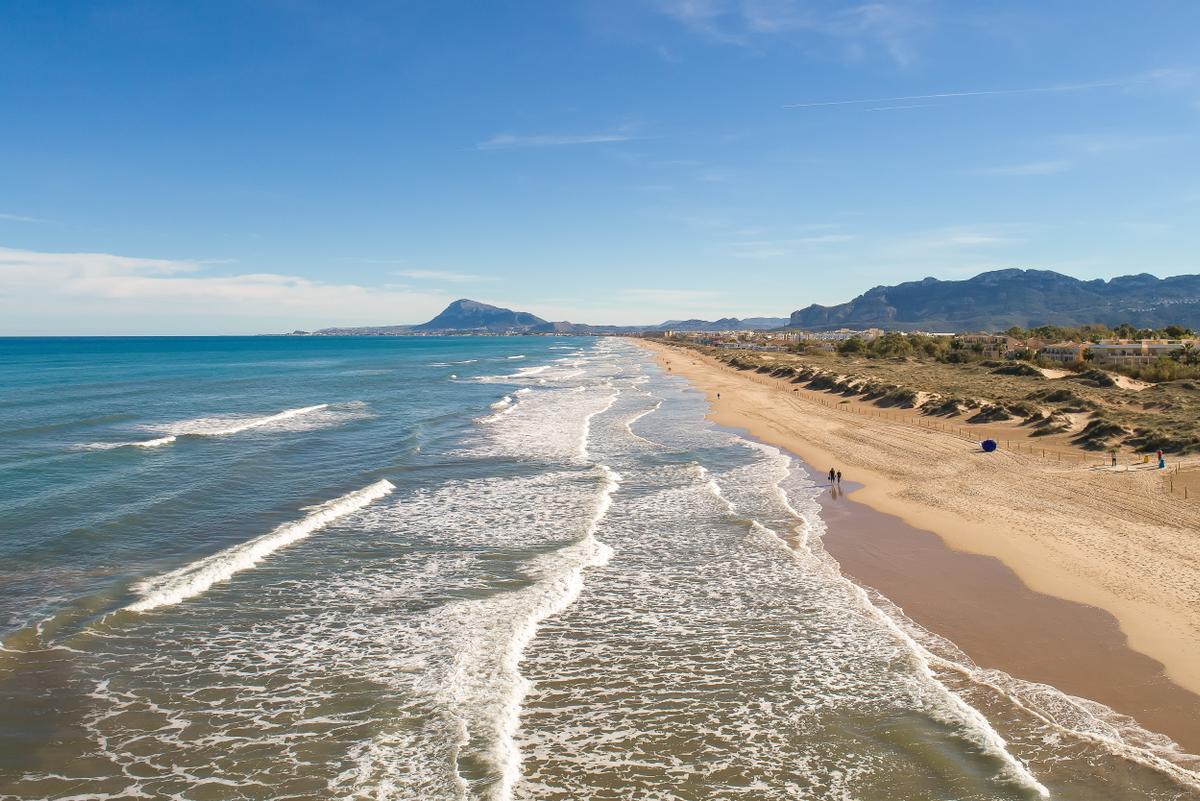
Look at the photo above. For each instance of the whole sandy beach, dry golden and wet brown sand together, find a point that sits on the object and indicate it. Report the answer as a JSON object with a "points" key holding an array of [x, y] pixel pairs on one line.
{"points": [[1057, 573]]}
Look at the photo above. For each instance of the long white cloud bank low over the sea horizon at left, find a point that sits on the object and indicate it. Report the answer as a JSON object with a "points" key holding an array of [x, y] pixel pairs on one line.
{"points": [[101, 293]]}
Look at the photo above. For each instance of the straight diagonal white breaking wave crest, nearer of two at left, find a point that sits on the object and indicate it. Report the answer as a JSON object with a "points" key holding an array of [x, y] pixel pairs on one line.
{"points": [[194, 580]]}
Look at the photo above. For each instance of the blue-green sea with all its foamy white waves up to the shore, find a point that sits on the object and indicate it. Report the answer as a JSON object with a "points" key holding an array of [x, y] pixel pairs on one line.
{"points": [[457, 569]]}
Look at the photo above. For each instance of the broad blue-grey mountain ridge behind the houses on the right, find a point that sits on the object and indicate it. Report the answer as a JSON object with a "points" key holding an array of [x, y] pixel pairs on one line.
{"points": [[1001, 299]]}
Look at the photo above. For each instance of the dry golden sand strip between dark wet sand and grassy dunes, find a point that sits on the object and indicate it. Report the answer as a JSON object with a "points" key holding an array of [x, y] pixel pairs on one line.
{"points": [[1107, 539]]}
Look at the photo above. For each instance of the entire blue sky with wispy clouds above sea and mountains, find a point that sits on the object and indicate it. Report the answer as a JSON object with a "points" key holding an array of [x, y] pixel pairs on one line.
{"points": [[211, 167]]}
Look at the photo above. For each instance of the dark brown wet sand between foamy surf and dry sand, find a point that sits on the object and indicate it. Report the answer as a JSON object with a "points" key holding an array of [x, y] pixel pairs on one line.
{"points": [[987, 611]]}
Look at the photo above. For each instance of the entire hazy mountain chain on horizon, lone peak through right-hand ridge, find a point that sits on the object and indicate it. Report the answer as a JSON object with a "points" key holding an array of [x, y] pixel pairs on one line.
{"points": [[991, 302]]}
